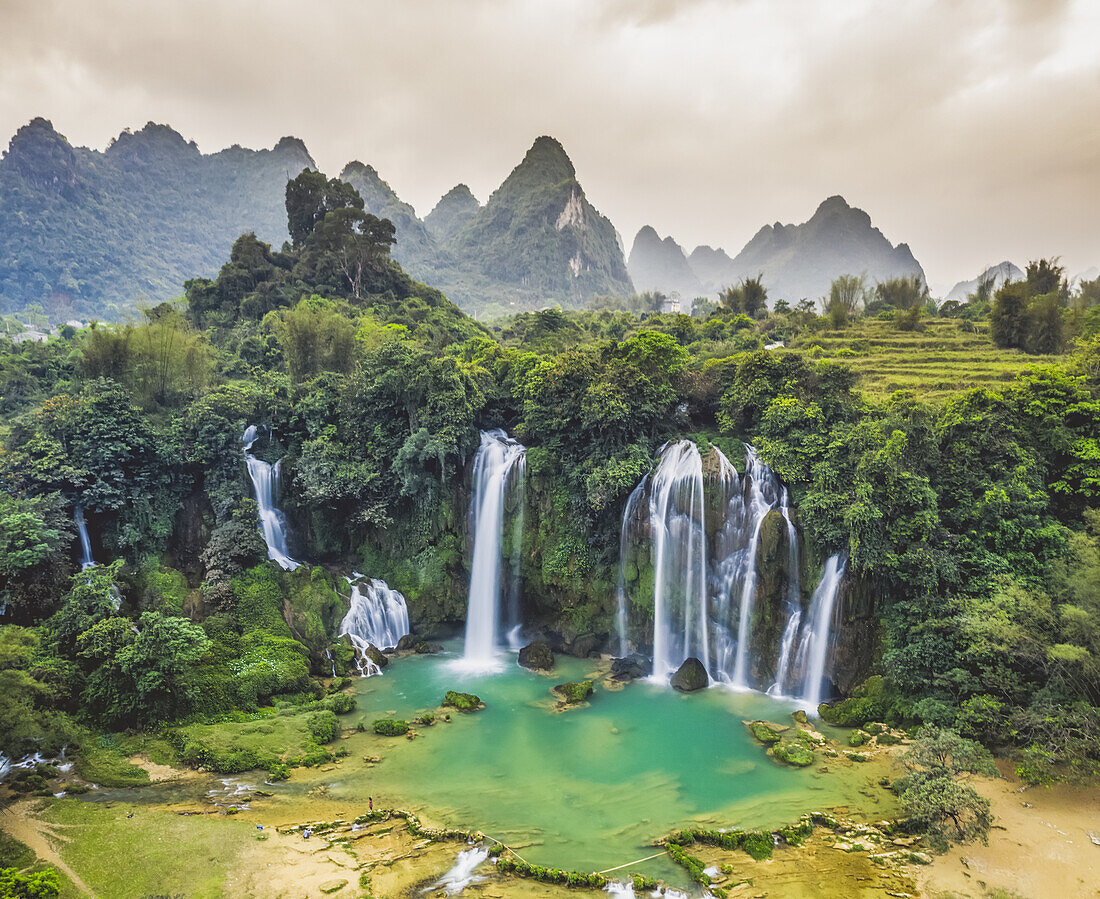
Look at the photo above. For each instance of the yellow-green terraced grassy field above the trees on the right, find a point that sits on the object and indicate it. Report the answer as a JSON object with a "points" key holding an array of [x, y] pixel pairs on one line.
{"points": [[937, 363]]}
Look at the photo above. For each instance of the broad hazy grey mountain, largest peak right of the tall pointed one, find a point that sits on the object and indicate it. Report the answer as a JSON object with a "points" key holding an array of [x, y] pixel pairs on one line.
{"points": [[801, 261]]}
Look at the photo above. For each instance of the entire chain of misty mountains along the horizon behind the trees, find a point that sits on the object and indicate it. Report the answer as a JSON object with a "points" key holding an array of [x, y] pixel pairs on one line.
{"points": [[91, 234]]}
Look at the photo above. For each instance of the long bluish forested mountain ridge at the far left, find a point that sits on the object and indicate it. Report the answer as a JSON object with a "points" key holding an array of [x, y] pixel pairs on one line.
{"points": [[90, 234]]}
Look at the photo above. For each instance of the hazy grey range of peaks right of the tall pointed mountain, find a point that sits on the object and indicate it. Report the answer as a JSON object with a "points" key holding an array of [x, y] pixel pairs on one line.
{"points": [[796, 261]]}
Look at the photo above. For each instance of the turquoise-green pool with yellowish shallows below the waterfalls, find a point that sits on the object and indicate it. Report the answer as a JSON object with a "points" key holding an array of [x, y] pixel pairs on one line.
{"points": [[588, 788]]}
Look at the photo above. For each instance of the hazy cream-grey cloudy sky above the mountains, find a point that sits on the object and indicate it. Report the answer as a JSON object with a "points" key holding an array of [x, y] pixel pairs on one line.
{"points": [[970, 129]]}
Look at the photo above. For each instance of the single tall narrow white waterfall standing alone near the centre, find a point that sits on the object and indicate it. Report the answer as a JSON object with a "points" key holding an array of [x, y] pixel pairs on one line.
{"points": [[500, 466]]}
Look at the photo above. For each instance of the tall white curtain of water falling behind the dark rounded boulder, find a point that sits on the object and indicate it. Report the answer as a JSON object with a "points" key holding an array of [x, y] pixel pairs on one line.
{"points": [[679, 536]]}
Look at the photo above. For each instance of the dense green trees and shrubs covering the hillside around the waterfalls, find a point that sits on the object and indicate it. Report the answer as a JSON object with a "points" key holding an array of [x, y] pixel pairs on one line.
{"points": [[972, 520]]}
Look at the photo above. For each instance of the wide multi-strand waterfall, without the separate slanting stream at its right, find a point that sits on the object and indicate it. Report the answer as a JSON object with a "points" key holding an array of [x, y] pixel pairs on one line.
{"points": [[703, 524]]}
